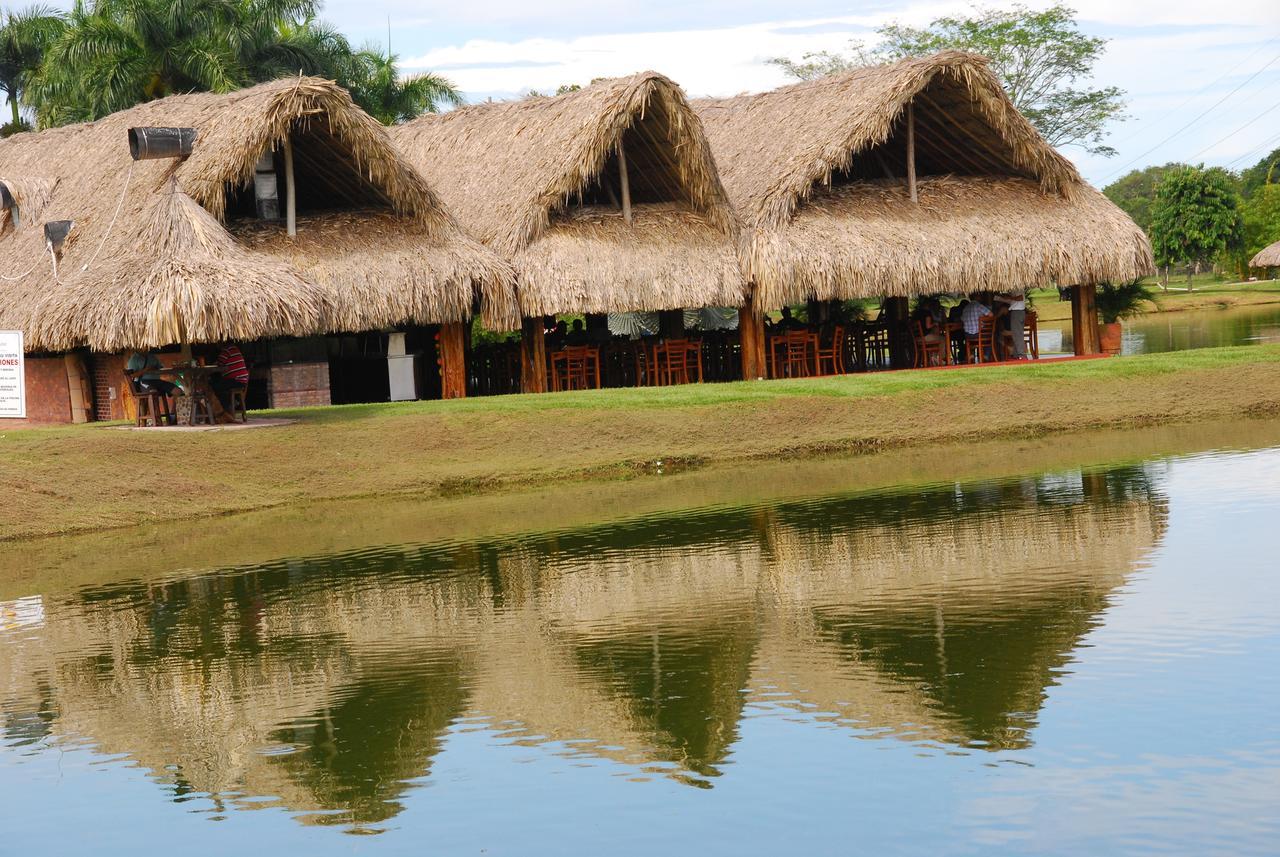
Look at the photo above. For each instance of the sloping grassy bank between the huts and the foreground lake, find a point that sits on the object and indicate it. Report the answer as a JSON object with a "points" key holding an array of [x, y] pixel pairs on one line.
{"points": [[90, 478]]}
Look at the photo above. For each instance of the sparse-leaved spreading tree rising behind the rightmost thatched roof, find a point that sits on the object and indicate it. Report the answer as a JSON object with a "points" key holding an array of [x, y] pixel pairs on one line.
{"points": [[1040, 57]]}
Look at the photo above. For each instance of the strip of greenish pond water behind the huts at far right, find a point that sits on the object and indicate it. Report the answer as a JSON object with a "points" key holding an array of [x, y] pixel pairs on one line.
{"points": [[1168, 332]]}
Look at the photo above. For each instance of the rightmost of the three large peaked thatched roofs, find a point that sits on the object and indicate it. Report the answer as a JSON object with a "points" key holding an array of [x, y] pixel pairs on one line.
{"points": [[819, 171]]}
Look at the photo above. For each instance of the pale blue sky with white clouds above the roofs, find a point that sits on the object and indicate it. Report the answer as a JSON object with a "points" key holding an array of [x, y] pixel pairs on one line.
{"points": [[1176, 59]]}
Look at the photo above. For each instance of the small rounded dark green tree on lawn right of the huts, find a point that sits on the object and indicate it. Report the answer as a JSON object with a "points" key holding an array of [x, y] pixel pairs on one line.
{"points": [[1196, 217]]}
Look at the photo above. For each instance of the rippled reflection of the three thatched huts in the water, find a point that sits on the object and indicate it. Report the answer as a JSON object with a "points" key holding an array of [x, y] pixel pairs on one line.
{"points": [[641, 644]]}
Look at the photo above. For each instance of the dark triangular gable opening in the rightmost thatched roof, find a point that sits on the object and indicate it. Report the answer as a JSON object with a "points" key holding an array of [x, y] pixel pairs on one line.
{"points": [[952, 139]]}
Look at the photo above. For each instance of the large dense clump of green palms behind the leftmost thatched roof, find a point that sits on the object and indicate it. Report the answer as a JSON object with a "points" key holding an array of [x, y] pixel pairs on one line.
{"points": [[115, 54]]}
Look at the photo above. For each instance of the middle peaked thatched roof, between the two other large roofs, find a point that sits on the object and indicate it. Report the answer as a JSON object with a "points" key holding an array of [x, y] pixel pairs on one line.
{"points": [[540, 181]]}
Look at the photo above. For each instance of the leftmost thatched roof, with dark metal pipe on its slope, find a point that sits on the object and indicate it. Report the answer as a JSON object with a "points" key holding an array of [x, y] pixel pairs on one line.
{"points": [[163, 251]]}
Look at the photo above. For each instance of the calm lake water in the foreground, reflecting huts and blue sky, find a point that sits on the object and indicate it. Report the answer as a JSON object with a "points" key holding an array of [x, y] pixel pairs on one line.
{"points": [[1067, 662]]}
